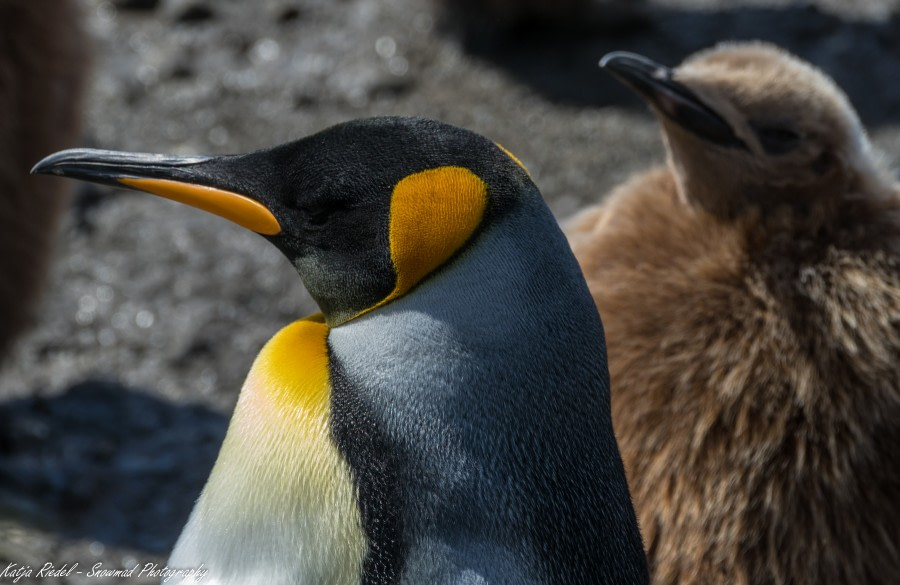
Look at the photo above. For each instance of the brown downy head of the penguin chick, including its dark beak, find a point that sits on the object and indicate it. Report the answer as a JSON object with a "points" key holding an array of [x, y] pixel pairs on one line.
{"points": [[747, 124]]}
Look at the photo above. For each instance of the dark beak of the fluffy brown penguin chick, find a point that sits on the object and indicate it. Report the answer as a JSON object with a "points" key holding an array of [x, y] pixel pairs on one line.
{"points": [[656, 84]]}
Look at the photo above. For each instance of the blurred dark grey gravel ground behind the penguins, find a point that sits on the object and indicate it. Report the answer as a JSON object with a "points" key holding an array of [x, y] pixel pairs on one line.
{"points": [[113, 407]]}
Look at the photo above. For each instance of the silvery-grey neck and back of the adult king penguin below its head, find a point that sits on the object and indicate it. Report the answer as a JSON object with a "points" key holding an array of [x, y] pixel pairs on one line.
{"points": [[487, 451]]}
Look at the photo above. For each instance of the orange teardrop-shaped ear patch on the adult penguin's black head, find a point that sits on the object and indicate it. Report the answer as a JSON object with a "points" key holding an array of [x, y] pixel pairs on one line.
{"points": [[433, 214]]}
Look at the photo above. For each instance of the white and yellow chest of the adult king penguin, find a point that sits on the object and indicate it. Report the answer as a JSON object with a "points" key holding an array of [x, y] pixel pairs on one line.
{"points": [[279, 506]]}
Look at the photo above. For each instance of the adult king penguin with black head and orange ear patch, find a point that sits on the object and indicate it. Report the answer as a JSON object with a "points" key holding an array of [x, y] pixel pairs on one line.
{"points": [[445, 419]]}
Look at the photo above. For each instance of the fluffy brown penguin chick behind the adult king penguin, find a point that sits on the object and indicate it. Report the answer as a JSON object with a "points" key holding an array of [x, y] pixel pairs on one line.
{"points": [[750, 292]]}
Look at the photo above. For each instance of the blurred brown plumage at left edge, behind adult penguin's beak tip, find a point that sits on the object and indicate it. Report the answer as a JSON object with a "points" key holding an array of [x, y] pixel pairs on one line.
{"points": [[43, 65]]}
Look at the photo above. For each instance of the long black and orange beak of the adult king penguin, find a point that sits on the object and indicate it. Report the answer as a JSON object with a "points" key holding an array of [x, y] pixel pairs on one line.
{"points": [[197, 181]]}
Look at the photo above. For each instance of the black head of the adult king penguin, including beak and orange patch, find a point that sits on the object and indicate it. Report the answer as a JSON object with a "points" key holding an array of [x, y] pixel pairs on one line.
{"points": [[364, 210]]}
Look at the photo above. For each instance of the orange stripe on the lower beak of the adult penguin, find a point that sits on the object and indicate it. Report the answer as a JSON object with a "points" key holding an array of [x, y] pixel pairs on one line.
{"points": [[240, 209]]}
